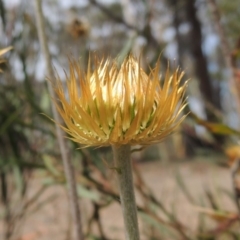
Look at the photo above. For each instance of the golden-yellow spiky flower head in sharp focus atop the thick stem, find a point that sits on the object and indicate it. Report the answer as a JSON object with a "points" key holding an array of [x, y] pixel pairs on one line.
{"points": [[114, 105]]}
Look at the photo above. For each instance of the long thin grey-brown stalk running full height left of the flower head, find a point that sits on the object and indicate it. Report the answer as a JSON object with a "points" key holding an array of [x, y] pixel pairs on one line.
{"points": [[68, 168]]}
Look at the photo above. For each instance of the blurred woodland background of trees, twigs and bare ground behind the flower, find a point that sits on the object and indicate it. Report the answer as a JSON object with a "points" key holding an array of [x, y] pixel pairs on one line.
{"points": [[187, 187]]}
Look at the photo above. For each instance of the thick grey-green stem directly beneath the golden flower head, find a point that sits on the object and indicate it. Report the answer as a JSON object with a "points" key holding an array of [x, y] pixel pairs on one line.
{"points": [[125, 180]]}
